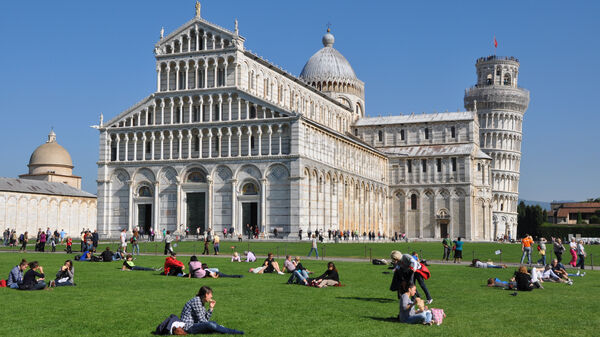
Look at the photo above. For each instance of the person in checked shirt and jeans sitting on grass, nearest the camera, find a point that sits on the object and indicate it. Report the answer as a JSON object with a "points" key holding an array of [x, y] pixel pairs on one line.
{"points": [[197, 318]]}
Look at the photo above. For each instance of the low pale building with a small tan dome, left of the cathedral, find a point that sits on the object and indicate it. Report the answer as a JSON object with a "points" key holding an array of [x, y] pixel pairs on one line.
{"points": [[48, 196]]}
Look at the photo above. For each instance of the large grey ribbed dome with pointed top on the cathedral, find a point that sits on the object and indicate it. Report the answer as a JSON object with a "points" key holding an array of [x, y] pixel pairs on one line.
{"points": [[327, 64]]}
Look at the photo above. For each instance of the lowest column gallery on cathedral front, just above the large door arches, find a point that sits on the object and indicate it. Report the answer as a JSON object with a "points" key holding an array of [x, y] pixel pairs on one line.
{"points": [[211, 142]]}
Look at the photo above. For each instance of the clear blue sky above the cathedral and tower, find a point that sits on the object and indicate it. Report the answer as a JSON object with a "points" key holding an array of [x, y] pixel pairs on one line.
{"points": [[65, 62]]}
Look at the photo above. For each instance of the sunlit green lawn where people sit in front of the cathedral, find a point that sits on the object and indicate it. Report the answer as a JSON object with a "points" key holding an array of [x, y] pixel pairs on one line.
{"points": [[108, 302]]}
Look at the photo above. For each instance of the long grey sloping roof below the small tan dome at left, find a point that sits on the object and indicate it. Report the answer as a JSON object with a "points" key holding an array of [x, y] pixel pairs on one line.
{"points": [[41, 187]]}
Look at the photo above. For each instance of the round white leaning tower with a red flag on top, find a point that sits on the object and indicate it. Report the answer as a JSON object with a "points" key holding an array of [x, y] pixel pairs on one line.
{"points": [[500, 106]]}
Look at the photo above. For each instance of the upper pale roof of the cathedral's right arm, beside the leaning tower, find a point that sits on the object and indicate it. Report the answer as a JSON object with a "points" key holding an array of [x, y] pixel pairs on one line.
{"points": [[417, 118]]}
